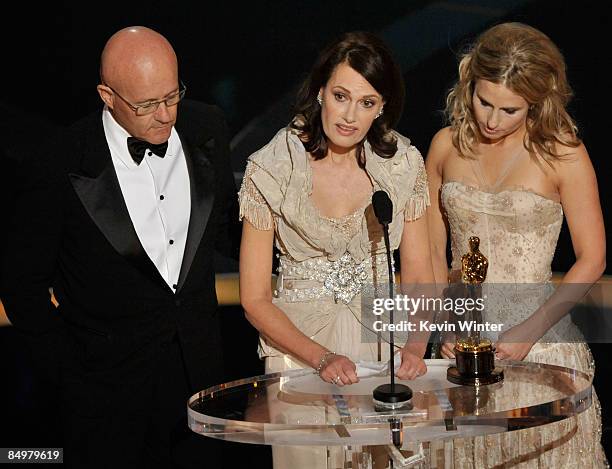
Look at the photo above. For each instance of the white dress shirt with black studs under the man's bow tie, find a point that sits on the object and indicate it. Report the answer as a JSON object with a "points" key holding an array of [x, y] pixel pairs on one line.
{"points": [[157, 196]]}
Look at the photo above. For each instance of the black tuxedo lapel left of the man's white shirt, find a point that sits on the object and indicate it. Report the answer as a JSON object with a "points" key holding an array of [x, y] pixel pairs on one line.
{"points": [[102, 198]]}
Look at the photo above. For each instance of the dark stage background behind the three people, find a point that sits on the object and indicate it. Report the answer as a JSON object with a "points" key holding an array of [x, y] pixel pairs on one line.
{"points": [[248, 60]]}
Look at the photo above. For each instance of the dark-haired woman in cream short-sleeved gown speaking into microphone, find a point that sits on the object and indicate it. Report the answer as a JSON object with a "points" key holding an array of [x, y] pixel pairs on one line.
{"points": [[309, 192]]}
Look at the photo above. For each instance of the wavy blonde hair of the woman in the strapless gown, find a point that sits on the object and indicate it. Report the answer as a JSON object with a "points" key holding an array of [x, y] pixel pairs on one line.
{"points": [[528, 63]]}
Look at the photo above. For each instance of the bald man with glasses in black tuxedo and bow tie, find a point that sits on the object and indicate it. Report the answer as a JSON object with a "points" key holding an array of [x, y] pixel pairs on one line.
{"points": [[121, 219]]}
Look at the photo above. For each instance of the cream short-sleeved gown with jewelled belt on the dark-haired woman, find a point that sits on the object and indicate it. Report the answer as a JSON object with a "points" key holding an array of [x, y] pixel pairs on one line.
{"points": [[325, 262]]}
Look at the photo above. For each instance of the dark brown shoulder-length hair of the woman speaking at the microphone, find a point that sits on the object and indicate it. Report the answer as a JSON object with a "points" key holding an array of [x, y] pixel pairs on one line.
{"points": [[371, 58]]}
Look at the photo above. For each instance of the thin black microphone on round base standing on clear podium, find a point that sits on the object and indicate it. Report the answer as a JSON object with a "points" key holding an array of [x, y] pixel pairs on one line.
{"points": [[388, 396]]}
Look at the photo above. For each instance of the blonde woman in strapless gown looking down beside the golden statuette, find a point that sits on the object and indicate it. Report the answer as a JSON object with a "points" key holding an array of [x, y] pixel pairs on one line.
{"points": [[507, 169]]}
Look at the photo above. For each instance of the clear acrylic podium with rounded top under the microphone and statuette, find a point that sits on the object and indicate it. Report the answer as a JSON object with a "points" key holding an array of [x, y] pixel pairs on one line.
{"points": [[297, 408]]}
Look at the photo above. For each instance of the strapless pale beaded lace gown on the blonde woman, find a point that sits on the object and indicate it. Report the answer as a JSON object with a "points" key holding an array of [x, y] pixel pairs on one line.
{"points": [[518, 231]]}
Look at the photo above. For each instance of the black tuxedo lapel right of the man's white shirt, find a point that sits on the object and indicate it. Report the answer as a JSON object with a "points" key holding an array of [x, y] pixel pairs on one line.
{"points": [[201, 183]]}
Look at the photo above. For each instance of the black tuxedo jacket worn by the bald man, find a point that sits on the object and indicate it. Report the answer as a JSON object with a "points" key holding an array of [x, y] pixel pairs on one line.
{"points": [[73, 233]]}
